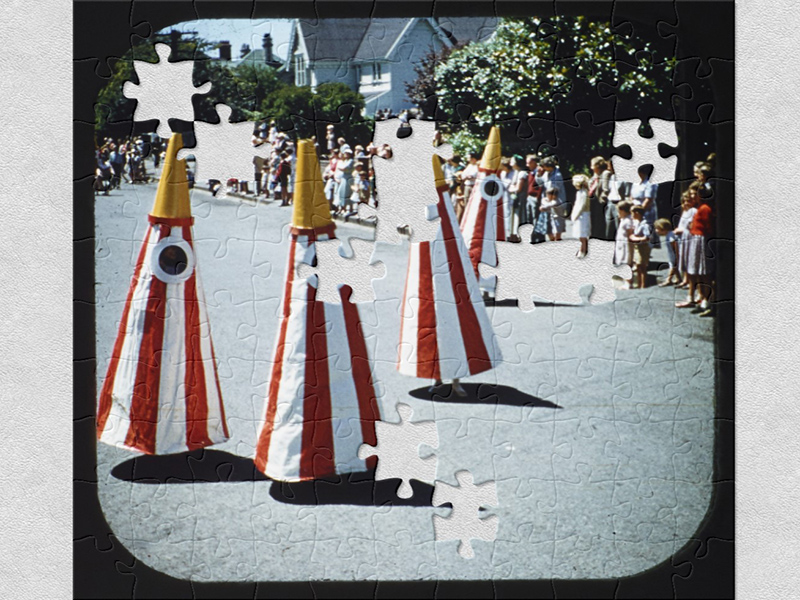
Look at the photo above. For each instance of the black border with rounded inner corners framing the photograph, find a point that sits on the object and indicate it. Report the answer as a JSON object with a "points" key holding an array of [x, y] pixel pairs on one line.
{"points": [[102, 567]]}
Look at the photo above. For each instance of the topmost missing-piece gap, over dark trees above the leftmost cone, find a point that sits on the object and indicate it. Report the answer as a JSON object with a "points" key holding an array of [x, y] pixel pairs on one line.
{"points": [[164, 91]]}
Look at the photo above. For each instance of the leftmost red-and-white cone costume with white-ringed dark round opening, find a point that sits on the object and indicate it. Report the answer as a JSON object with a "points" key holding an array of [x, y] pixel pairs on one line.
{"points": [[161, 394]]}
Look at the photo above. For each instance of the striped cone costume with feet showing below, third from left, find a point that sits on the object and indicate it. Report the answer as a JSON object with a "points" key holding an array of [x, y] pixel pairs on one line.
{"points": [[446, 332]]}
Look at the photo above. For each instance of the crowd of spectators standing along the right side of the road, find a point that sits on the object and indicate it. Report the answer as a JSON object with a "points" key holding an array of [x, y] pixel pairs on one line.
{"points": [[626, 212]]}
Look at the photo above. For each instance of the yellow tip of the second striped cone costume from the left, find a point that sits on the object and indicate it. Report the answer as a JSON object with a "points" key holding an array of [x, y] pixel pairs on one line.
{"points": [[311, 209]]}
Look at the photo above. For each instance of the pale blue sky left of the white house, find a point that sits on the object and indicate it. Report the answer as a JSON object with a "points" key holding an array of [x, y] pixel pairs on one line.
{"points": [[241, 31]]}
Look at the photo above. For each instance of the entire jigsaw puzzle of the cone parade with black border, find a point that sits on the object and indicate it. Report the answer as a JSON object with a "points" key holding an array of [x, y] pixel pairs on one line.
{"points": [[464, 286]]}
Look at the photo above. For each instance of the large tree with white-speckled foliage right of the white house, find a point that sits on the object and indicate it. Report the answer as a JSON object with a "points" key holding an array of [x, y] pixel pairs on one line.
{"points": [[530, 64]]}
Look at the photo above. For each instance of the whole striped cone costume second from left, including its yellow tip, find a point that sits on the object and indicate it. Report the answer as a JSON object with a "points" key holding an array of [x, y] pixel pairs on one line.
{"points": [[321, 403]]}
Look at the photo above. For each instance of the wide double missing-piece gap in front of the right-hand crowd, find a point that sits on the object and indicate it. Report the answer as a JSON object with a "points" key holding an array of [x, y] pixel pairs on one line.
{"points": [[517, 275]]}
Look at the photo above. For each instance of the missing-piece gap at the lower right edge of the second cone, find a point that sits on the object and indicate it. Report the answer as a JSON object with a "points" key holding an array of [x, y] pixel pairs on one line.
{"points": [[398, 450]]}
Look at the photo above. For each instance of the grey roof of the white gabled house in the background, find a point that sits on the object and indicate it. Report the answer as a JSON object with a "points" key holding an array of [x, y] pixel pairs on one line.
{"points": [[365, 39]]}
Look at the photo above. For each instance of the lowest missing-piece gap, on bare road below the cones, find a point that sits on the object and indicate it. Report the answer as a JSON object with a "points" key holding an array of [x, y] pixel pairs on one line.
{"points": [[465, 522]]}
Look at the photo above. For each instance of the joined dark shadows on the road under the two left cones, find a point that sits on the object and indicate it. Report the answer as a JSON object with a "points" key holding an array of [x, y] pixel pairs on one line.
{"points": [[216, 466]]}
